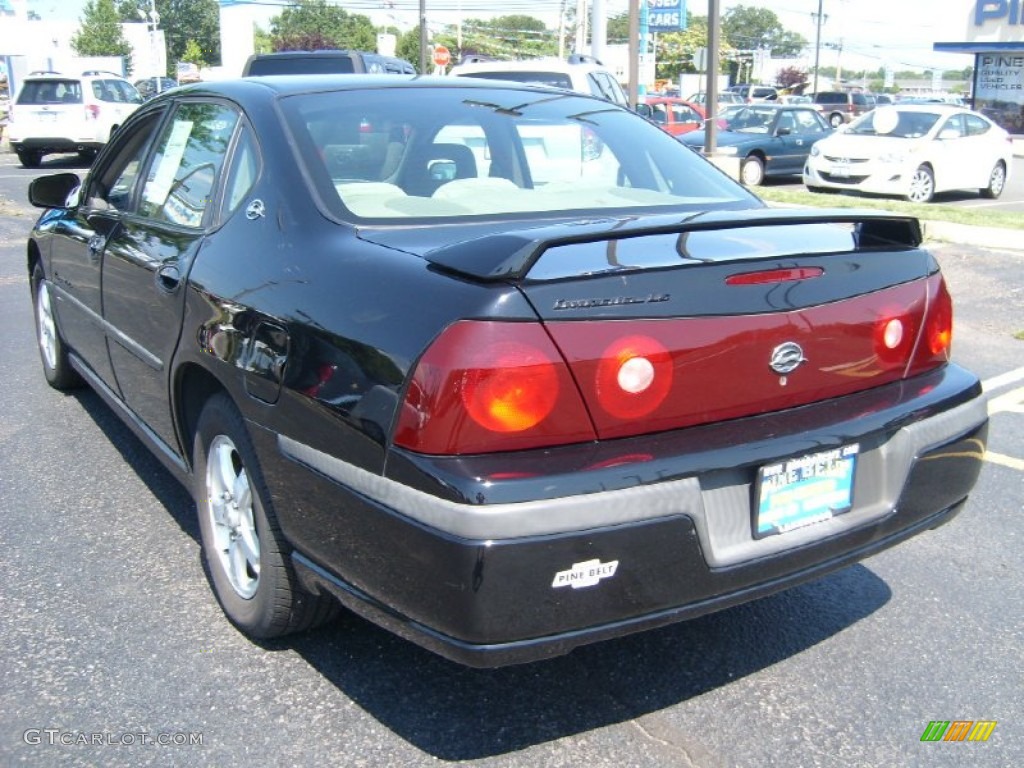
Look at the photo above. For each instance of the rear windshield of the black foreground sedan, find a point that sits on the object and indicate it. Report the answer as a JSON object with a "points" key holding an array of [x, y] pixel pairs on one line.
{"points": [[463, 152]]}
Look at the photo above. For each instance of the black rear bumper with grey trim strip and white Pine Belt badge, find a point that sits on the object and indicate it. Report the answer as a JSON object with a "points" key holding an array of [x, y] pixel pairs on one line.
{"points": [[480, 583]]}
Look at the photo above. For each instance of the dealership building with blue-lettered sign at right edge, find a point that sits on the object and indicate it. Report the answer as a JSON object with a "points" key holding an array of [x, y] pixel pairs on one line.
{"points": [[996, 39]]}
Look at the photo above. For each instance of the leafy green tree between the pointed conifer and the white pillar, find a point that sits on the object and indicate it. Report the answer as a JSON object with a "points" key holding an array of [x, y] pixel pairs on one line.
{"points": [[181, 22]]}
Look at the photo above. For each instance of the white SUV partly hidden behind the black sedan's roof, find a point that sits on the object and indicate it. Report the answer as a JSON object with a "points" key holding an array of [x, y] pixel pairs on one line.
{"points": [[580, 73]]}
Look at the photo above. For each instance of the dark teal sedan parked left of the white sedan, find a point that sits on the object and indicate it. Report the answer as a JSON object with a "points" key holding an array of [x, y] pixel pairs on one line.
{"points": [[770, 140]]}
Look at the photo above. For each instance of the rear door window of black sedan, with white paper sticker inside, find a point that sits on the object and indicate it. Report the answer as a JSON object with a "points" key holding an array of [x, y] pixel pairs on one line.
{"points": [[183, 177]]}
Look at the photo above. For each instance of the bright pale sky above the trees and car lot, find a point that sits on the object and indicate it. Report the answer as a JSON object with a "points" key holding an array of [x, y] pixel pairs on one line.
{"points": [[873, 33]]}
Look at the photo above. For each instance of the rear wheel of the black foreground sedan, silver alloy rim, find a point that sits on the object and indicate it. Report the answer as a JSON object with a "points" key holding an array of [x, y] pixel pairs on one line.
{"points": [[245, 551]]}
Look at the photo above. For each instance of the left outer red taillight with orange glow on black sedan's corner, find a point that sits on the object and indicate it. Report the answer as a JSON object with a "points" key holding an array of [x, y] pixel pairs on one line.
{"points": [[488, 387]]}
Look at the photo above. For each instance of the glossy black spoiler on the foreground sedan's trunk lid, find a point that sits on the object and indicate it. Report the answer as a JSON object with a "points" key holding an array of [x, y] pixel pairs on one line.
{"points": [[510, 255]]}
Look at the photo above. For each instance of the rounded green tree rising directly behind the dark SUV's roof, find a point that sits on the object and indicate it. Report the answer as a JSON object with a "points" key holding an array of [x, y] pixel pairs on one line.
{"points": [[317, 24]]}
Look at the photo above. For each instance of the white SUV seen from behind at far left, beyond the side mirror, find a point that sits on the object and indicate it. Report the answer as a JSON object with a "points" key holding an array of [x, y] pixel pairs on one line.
{"points": [[60, 113]]}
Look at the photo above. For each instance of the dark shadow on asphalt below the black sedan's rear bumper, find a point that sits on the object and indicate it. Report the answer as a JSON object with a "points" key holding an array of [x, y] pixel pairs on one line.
{"points": [[455, 713]]}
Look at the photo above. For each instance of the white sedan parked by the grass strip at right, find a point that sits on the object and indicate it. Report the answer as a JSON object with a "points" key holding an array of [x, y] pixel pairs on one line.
{"points": [[913, 151]]}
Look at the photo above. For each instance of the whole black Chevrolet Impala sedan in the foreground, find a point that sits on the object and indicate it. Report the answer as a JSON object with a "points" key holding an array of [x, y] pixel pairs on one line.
{"points": [[505, 369]]}
